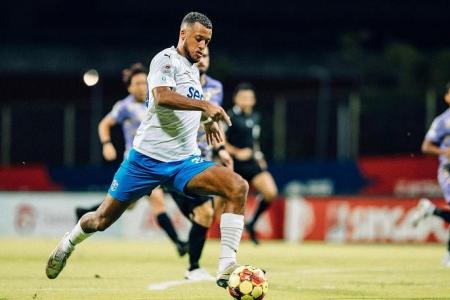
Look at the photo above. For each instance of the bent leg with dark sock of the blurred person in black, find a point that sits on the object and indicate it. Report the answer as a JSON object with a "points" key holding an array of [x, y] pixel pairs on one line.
{"points": [[267, 189]]}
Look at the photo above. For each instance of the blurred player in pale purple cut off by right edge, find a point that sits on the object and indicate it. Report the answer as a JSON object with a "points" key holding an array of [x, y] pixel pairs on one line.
{"points": [[437, 142]]}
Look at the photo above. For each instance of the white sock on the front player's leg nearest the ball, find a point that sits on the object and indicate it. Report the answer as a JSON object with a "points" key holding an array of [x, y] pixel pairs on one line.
{"points": [[231, 226]]}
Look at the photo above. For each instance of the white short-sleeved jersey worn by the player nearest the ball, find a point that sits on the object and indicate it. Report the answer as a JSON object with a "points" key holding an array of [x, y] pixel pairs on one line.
{"points": [[166, 134]]}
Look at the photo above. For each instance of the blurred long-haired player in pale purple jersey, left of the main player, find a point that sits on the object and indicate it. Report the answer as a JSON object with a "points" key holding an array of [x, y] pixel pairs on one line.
{"points": [[129, 112]]}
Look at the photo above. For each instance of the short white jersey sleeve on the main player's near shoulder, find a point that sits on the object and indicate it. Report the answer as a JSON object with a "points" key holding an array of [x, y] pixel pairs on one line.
{"points": [[162, 72]]}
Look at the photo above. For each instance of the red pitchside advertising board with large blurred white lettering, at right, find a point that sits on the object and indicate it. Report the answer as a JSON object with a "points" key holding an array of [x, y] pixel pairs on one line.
{"points": [[346, 219]]}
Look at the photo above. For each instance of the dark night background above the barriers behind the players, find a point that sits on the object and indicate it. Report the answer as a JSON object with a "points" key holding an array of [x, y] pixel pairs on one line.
{"points": [[392, 54]]}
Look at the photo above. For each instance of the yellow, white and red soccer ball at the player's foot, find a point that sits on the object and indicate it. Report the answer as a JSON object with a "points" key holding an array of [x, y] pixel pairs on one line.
{"points": [[247, 283]]}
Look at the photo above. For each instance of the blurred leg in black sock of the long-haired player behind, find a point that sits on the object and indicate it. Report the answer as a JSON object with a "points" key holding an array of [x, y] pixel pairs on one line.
{"points": [[156, 201]]}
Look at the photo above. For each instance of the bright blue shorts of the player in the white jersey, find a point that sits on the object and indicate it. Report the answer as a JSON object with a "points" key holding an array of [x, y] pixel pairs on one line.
{"points": [[139, 174]]}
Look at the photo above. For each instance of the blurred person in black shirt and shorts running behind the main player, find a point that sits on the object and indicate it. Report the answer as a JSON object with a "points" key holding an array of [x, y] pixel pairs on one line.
{"points": [[243, 145]]}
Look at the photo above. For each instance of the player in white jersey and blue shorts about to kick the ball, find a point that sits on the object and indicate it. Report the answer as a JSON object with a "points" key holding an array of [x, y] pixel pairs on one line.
{"points": [[165, 151]]}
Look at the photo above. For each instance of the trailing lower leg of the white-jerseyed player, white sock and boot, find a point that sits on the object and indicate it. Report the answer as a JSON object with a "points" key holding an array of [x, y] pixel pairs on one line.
{"points": [[108, 212]]}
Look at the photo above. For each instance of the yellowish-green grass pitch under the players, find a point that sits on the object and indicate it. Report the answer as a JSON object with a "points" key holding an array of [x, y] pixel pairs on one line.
{"points": [[119, 269]]}
